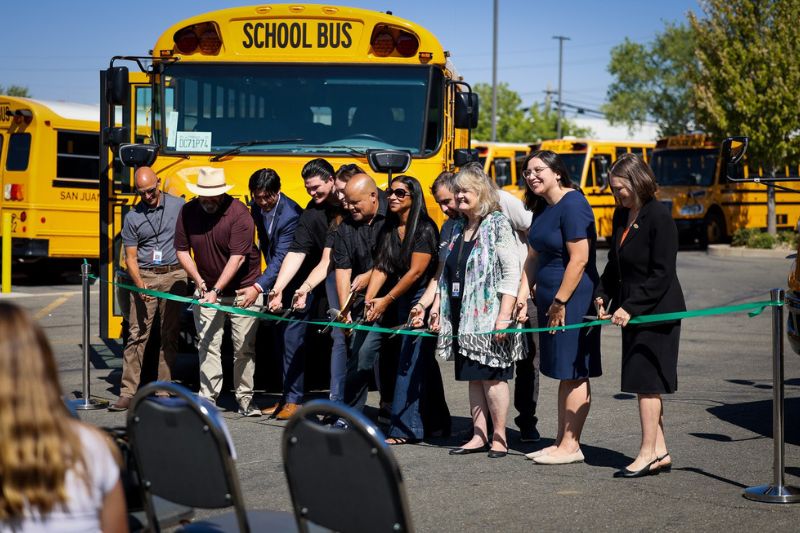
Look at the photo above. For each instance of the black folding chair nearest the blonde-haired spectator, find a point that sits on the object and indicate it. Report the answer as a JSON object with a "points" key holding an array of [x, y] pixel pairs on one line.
{"points": [[185, 455]]}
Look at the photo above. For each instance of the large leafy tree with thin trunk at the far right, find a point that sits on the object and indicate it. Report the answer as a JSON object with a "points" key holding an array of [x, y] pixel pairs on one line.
{"points": [[748, 78]]}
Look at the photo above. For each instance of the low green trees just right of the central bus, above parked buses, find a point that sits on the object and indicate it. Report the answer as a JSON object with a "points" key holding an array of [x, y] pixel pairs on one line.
{"points": [[514, 123]]}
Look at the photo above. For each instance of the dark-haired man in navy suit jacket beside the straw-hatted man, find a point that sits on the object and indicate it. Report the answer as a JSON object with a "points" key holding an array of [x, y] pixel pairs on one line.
{"points": [[275, 217]]}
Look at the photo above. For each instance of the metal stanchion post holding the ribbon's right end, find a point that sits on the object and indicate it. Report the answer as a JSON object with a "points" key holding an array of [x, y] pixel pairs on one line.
{"points": [[776, 492]]}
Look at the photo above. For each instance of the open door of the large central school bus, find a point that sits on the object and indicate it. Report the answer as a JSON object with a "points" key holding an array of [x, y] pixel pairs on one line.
{"points": [[122, 122]]}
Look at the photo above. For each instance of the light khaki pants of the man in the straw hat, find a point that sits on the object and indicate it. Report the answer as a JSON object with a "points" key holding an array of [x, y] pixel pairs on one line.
{"points": [[210, 324]]}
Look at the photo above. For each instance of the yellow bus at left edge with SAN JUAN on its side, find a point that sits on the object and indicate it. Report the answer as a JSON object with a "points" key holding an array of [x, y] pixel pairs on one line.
{"points": [[49, 154]]}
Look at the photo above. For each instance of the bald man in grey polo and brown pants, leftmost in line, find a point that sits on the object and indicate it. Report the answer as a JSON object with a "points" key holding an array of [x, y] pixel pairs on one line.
{"points": [[148, 233]]}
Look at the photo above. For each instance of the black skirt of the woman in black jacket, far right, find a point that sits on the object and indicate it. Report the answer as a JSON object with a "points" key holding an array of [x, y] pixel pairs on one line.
{"points": [[650, 358]]}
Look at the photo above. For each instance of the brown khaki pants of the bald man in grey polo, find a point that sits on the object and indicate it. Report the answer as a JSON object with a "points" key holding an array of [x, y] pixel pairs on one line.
{"points": [[142, 313]]}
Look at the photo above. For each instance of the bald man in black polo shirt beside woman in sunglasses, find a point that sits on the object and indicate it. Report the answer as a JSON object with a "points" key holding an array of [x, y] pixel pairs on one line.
{"points": [[354, 249]]}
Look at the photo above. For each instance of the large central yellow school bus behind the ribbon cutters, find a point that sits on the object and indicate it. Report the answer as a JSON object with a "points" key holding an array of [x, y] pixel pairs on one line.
{"points": [[275, 86]]}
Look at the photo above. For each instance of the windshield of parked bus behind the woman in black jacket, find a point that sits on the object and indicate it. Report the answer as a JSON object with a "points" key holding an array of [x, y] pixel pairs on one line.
{"points": [[684, 167]]}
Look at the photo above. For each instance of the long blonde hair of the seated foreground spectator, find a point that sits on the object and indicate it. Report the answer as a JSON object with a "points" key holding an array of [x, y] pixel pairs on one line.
{"points": [[38, 442]]}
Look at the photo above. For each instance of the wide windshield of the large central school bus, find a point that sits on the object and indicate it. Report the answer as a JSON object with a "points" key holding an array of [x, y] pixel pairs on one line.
{"points": [[301, 109]]}
